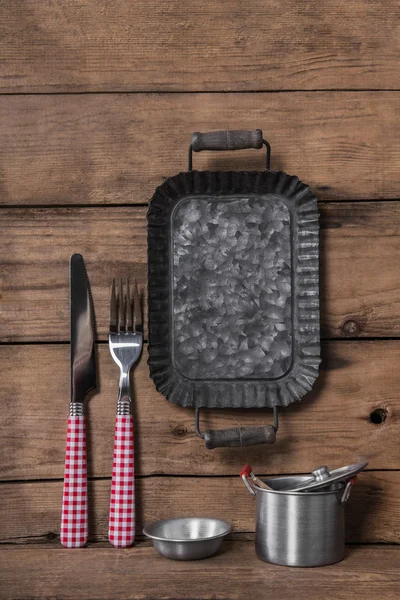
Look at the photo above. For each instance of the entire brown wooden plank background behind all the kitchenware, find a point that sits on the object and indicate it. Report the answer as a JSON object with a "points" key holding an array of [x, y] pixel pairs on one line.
{"points": [[98, 100]]}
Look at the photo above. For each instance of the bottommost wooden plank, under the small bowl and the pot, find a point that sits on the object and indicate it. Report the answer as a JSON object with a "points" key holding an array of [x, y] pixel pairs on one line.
{"points": [[233, 574]]}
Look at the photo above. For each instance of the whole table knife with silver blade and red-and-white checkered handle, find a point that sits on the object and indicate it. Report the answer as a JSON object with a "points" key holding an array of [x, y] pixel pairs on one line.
{"points": [[74, 519]]}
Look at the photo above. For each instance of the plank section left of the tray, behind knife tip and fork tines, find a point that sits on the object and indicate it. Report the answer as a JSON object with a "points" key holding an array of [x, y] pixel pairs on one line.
{"points": [[35, 251]]}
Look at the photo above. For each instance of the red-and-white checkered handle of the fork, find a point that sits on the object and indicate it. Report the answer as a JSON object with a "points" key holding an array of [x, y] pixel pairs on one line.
{"points": [[121, 530]]}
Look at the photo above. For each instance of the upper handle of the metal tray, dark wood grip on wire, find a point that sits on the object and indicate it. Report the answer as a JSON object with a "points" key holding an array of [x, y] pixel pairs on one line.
{"points": [[228, 140]]}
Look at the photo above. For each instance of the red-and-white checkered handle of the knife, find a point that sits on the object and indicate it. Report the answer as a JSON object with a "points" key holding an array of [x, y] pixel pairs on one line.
{"points": [[74, 521]]}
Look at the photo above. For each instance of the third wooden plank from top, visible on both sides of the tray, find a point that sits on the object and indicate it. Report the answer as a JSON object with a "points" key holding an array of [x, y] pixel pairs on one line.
{"points": [[360, 279]]}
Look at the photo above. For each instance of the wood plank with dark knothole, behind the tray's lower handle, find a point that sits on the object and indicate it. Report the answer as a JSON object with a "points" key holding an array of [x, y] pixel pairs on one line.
{"points": [[330, 426]]}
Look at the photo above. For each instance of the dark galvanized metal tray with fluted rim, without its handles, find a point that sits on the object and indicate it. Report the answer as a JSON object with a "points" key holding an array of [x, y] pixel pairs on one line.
{"points": [[233, 324]]}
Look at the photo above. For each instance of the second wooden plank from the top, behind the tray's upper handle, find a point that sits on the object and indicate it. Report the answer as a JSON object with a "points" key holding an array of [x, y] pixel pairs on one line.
{"points": [[116, 148]]}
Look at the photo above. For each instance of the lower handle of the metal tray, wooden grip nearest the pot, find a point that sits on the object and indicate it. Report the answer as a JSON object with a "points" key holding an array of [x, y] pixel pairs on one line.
{"points": [[238, 436]]}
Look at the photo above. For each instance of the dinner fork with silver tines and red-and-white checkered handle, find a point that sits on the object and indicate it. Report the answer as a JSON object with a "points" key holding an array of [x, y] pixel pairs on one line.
{"points": [[125, 342]]}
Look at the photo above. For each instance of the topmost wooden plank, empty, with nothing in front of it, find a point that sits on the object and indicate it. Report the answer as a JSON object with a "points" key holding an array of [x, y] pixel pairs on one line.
{"points": [[99, 45]]}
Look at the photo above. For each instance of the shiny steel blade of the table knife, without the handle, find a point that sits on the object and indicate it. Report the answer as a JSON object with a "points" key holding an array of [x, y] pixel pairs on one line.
{"points": [[83, 363]]}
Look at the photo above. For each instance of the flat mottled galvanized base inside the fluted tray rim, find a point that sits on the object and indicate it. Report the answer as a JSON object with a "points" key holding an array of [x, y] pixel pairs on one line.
{"points": [[232, 313]]}
